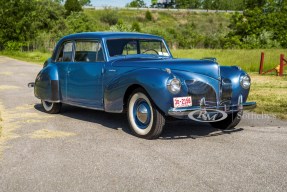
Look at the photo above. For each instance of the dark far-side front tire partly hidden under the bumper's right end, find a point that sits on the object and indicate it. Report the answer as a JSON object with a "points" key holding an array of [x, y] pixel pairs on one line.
{"points": [[230, 122]]}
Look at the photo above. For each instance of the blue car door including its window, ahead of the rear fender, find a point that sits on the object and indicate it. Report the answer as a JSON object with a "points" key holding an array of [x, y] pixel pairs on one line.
{"points": [[84, 86]]}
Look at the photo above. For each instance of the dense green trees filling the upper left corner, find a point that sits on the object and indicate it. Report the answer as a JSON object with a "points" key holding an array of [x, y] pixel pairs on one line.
{"points": [[24, 21]]}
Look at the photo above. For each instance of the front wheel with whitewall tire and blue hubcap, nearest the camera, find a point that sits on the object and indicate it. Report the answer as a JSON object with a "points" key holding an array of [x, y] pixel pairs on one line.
{"points": [[145, 120]]}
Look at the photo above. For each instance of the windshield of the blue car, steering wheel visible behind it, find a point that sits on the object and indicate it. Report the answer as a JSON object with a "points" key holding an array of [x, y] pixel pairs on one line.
{"points": [[123, 47]]}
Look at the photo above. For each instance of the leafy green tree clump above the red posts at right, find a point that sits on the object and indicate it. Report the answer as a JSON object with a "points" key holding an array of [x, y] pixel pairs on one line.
{"points": [[258, 28]]}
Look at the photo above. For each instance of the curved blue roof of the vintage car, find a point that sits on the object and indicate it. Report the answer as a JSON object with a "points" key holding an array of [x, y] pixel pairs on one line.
{"points": [[110, 35]]}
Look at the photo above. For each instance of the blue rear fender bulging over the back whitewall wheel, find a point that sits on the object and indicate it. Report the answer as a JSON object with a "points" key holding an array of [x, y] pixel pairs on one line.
{"points": [[47, 84]]}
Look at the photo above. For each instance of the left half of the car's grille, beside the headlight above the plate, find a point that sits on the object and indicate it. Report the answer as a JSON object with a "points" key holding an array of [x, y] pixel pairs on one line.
{"points": [[198, 90]]}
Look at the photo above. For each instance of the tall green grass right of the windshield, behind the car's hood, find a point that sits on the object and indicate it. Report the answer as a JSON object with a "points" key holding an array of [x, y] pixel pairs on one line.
{"points": [[248, 60]]}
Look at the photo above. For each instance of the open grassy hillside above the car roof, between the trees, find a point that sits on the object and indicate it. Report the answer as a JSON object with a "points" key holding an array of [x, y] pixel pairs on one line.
{"points": [[204, 23]]}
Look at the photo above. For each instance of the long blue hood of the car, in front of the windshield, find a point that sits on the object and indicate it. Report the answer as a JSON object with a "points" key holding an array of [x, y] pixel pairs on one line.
{"points": [[205, 67]]}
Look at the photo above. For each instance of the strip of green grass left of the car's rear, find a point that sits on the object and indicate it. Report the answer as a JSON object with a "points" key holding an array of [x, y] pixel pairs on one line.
{"points": [[35, 57]]}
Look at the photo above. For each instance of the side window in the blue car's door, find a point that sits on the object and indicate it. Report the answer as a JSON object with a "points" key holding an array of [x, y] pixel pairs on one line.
{"points": [[88, 51]]}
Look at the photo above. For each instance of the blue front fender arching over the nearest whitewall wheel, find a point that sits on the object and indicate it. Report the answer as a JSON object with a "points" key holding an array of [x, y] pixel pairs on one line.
{"points": [[153, 80]]}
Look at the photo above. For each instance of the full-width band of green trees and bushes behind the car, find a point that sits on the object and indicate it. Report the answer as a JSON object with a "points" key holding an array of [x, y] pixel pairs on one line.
{"points": [[31, 24]]}
